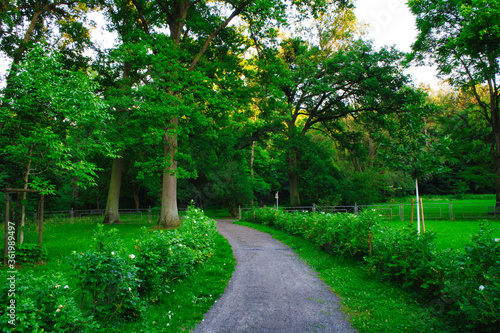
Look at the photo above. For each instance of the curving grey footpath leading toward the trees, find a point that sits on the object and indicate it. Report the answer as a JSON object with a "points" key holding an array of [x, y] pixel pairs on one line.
{"points": [[271, 290]]}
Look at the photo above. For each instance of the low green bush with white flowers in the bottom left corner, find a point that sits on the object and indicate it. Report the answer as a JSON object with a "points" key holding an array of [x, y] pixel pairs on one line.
{"points": [[42, 304]]}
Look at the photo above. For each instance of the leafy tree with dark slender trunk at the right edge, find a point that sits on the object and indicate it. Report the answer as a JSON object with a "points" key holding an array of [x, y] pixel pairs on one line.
{"points": [[462, 37]]}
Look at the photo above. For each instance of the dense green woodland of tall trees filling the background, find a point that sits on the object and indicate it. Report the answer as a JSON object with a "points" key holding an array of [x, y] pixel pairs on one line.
{"points": [[228, 102]]}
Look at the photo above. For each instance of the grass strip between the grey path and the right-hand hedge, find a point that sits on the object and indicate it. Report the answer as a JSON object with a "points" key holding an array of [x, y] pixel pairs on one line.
{"points": [[373, 306]]}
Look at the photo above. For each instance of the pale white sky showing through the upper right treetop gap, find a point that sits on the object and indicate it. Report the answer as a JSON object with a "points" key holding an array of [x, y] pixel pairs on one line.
{"points": [[391, 23]]}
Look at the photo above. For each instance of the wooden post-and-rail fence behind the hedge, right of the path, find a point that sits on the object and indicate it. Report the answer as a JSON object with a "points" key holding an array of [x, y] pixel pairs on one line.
{"points": [[432, 211]]}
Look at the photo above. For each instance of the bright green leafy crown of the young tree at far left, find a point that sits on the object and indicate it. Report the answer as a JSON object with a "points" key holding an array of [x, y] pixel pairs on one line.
{"points": [[53, 121]]}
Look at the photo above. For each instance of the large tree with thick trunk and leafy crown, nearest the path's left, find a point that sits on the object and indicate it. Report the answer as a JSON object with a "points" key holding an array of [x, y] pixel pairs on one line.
{"points": [[191, 29]]}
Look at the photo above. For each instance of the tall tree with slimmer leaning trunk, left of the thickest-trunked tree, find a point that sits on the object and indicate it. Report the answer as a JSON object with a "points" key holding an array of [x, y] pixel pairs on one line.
{"points": [[119, 73]]}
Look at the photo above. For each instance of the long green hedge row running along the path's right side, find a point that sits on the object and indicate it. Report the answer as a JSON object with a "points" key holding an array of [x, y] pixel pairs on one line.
{"points": [[463, 285]]}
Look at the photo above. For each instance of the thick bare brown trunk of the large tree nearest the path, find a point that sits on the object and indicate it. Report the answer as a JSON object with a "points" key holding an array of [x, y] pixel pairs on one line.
{"points": [[169, 216]]}
